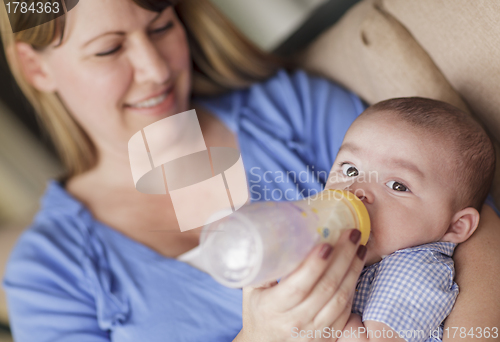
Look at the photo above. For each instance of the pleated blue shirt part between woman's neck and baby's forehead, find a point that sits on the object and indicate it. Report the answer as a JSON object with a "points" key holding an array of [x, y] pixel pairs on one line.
{"points": [[292, 123]]}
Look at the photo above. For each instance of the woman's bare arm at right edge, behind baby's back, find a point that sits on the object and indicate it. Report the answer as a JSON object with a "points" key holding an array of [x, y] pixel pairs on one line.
{"points": [[477, 264]]}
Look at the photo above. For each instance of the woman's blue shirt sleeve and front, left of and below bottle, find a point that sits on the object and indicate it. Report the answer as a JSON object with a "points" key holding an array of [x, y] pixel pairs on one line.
{"points": [[72, 278]]}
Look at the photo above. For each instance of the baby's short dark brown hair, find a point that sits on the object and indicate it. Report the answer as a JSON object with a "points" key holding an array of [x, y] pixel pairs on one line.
{"points": [[473, 149]]}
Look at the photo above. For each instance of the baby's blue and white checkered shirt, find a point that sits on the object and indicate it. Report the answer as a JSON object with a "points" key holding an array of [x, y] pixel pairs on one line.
{"points": [[411, 290]]}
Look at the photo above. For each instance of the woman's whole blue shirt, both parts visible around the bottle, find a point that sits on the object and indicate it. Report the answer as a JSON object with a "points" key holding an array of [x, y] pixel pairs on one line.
{"points": [[71, 278]]}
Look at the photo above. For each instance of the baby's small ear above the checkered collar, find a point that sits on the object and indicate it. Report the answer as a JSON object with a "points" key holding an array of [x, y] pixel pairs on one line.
{"points": [[462, 225]]}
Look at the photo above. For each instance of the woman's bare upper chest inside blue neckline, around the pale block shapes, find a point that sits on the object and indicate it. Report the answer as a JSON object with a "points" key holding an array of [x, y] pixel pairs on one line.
{"points": [[108, 191]]}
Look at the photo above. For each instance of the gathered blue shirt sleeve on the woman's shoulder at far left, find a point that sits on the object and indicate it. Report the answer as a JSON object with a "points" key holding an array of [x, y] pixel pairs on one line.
{"points": [[56, 280]]}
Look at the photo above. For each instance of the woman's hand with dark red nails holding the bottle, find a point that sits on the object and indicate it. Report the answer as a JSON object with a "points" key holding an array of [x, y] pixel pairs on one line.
{"points": [[316, 296]]}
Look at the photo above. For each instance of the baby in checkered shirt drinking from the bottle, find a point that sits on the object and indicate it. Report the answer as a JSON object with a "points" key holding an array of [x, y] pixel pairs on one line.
{"points": [[423, 168]]}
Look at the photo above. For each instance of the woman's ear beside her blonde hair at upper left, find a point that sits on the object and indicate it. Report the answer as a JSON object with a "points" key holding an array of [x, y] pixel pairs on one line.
{"points": [[33, 67]]}
